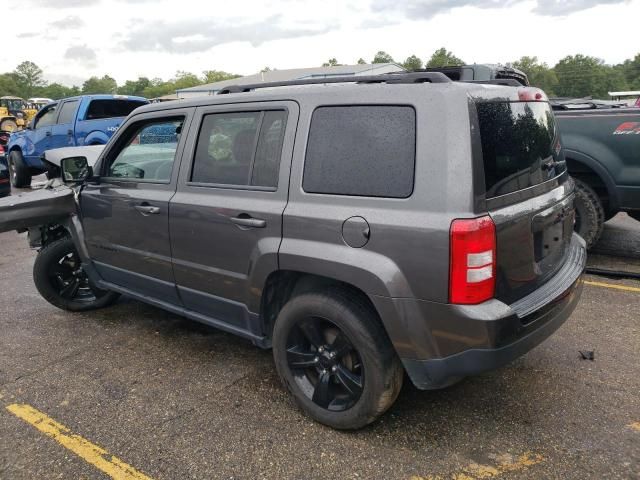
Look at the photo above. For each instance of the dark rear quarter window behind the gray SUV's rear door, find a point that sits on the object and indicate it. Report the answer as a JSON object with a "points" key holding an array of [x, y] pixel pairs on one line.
{"points": [[361, 150]]}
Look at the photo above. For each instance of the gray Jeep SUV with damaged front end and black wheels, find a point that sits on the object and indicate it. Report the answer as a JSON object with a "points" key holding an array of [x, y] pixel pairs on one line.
{"points": [[361, 227]]}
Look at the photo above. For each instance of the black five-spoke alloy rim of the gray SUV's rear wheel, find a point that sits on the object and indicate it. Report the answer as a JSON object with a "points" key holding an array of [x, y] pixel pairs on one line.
{"points": [[325, 364]]}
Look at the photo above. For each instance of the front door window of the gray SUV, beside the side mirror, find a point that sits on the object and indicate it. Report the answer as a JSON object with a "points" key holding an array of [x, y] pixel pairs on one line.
{"points": [[149, 151]]}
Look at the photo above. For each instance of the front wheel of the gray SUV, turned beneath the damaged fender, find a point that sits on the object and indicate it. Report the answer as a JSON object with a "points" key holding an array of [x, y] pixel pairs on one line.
{"points": [[62, 282]]}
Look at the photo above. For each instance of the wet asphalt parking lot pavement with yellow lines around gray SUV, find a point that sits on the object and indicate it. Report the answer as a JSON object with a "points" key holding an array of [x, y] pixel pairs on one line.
{"points": [[137, 390]]}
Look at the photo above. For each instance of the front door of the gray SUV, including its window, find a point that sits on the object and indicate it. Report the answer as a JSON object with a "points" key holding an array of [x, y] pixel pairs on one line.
{"points": [[126, 213]]}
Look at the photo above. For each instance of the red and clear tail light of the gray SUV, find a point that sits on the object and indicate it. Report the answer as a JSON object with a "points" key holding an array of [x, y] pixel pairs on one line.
{"points": [[472, 276]]}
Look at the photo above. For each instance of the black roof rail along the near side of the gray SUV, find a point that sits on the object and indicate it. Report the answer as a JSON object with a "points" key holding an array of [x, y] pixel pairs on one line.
{"points": [[417, 77]]}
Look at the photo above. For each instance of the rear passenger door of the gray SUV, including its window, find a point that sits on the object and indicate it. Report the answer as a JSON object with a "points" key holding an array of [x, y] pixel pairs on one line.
{"points": [[226, 217]]}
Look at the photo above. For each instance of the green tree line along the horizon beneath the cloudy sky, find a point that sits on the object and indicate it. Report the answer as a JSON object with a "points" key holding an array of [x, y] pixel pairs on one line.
{"points": [[574, 76]]}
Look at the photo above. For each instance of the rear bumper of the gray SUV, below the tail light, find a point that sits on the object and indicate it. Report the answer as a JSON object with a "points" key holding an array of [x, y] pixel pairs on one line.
{"points": [[468, 340]]}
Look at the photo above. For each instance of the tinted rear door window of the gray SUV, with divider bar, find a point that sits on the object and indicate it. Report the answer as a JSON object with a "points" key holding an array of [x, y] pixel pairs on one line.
{"points": [[242, 148]]}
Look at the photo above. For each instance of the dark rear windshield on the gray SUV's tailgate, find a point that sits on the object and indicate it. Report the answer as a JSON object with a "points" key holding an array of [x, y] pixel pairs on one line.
{"points": [[520, 145]]}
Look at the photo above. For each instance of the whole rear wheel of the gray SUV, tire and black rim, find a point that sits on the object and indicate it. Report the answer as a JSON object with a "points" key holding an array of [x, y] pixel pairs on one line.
{"points": [[334, 356]]}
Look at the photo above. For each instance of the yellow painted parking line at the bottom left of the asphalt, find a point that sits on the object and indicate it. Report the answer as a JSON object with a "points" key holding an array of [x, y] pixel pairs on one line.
{"points": [[89, 452]]}
